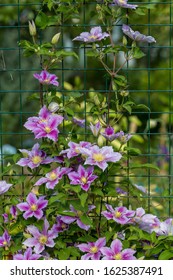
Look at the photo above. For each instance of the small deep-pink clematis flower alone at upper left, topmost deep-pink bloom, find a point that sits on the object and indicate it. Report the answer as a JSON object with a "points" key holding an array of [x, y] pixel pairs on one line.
{"points": [[46, 78]]}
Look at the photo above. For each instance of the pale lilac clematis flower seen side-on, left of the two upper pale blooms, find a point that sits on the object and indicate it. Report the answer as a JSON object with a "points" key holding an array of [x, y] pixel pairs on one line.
{"points": [[94, 35]]}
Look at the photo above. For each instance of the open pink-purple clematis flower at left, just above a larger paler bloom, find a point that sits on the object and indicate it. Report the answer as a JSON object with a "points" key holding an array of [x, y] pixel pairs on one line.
{"points": [[33, 206]]}
